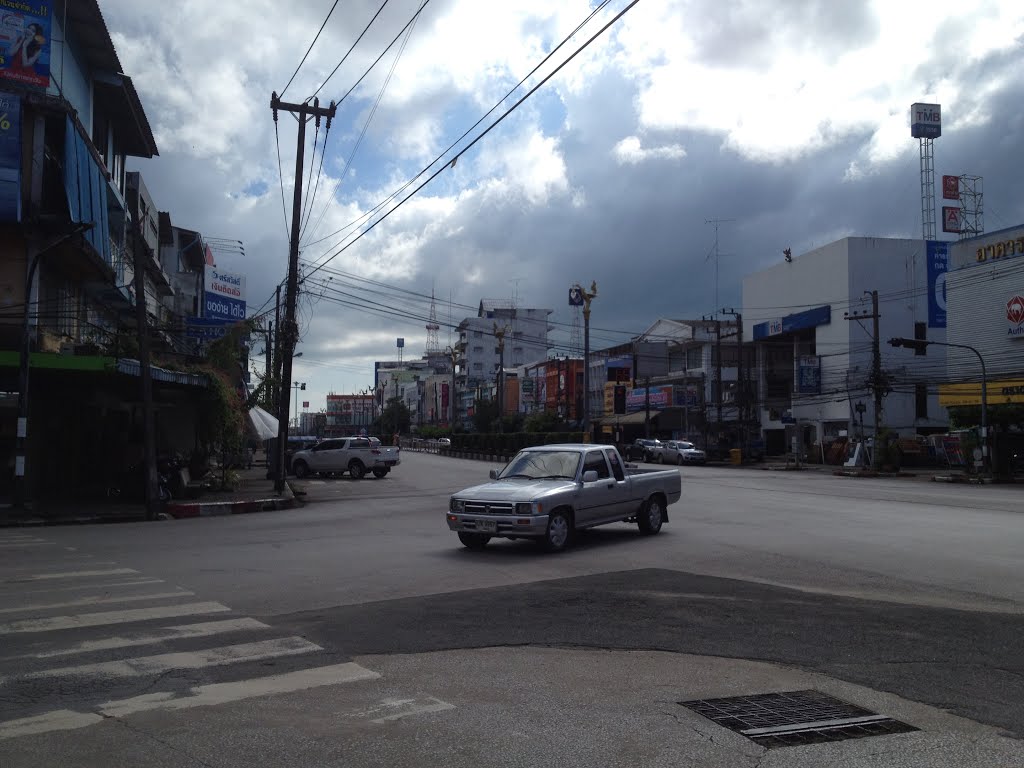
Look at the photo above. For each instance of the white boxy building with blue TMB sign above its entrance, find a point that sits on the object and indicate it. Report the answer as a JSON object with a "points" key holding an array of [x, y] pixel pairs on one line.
{"points": [[815, 366]]}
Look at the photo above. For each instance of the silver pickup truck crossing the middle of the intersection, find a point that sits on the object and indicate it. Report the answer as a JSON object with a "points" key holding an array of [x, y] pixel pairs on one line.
{"points": [[547, 493]]}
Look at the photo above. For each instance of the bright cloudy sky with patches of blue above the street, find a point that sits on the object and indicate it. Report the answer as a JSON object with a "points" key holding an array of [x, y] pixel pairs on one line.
{"points": [[789, 120]]}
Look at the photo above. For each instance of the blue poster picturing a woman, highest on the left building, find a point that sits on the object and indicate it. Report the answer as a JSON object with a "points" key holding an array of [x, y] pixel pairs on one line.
{"points": [[25, 42]]}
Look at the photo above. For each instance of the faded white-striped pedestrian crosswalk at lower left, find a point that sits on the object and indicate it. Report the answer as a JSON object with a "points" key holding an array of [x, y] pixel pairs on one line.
{"points": [[83, 641]]}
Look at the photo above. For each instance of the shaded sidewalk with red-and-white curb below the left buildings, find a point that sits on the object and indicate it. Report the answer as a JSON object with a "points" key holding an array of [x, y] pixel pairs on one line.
{"points": [[254, 494]]}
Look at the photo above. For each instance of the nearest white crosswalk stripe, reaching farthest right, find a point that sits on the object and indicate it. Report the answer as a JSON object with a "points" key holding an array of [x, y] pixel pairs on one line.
{"points": [[219, 694]]}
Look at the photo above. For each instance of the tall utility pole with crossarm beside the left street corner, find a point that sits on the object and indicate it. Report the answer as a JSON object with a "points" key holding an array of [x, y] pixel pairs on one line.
{"points": [[288, 330]]}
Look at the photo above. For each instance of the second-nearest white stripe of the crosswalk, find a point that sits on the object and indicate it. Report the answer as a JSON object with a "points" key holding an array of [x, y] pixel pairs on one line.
{"points": [[286, 647]]}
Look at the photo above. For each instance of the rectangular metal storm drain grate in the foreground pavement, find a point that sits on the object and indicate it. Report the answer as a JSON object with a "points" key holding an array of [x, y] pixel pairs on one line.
{"points": [[804, 717]]}
